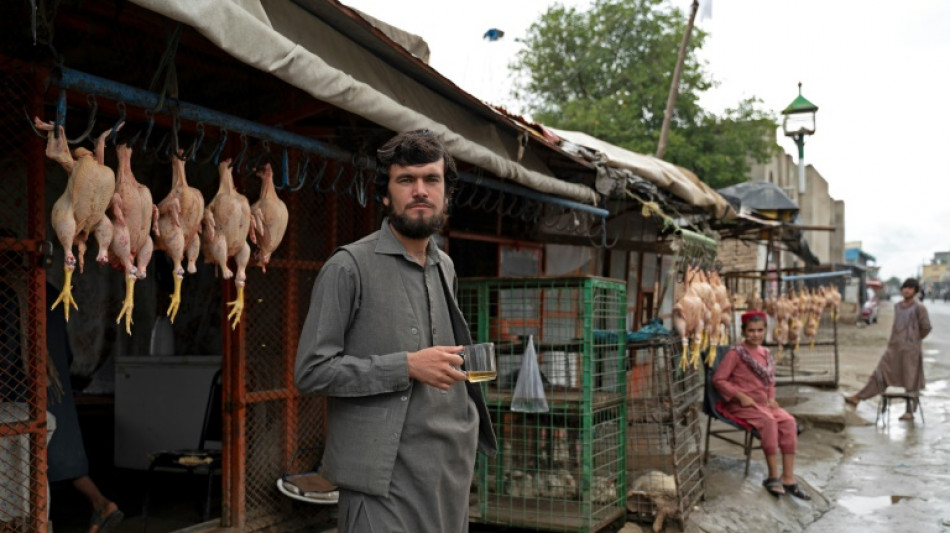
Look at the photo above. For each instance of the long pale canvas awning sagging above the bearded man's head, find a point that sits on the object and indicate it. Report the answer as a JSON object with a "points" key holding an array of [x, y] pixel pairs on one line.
{"points": [[284, 39]]}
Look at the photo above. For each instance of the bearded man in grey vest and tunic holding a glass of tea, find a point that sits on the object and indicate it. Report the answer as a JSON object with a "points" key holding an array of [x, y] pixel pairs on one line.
{"points": [[382, 341]]}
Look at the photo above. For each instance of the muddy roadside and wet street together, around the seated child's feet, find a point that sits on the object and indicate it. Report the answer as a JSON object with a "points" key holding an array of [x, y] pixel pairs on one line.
{"points": [[864, 478]]}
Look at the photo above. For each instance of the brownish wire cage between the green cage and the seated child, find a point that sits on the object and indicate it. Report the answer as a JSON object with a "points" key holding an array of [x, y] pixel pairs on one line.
{"points": [[664, 436]]}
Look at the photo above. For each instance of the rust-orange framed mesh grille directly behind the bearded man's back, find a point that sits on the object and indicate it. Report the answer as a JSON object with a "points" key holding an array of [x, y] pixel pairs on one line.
{"points": [[281, 432]]}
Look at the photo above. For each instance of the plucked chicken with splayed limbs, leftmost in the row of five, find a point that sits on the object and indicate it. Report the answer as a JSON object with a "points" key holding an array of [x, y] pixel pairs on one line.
{"points": [[81, 209]]}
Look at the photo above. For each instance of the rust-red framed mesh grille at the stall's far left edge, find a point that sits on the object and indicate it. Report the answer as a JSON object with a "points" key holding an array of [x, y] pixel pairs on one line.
{"points": [[23, 420]]}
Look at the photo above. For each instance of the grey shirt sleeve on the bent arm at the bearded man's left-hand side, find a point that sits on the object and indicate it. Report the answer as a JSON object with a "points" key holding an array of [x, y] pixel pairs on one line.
{"points": [[321, 366]]}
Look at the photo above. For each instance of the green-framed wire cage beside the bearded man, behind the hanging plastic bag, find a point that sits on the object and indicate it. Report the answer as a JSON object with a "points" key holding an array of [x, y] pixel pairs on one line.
{"points": [[560, 470]]}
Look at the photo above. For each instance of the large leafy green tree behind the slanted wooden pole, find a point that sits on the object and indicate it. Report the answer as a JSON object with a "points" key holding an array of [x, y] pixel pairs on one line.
{"points": [[606, 71]]}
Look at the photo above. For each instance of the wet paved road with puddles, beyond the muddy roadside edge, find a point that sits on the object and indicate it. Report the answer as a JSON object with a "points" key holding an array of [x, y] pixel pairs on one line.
{"points": [[897, 478]]}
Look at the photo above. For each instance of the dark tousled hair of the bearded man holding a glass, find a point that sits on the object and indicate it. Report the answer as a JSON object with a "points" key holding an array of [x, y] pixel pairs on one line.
{"points": [[414, 148]]}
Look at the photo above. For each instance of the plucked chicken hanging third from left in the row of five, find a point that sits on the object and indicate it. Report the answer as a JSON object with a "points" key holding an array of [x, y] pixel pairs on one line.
{"points": [[177, 228]]}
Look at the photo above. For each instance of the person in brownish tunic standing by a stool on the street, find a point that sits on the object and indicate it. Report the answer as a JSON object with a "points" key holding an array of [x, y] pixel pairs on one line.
{"points": [[902, 364]]}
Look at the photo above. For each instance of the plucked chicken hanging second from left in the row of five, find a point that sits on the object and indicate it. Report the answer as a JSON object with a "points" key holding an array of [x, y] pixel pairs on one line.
{"points": [[133, 214]]}
